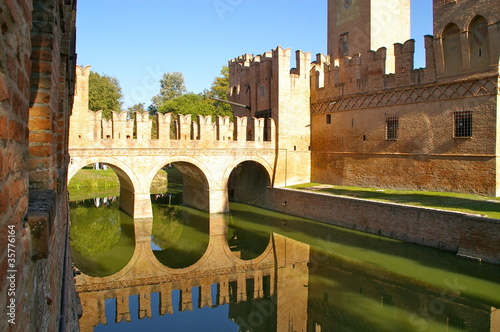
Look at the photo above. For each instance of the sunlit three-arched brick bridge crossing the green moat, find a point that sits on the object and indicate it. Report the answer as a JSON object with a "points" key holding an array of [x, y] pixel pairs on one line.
{"points": [[206, 165]]}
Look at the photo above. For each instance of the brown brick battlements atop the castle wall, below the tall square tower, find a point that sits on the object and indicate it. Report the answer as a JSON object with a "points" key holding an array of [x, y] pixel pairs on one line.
{"points": [[364, 73]]}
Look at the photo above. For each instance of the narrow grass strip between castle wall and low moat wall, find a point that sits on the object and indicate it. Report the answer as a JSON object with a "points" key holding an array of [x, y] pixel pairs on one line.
{"points": [[475, 204]]}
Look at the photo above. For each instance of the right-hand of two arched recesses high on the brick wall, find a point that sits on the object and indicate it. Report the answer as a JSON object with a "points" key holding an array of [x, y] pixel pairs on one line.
{"points": [[479, 44]]}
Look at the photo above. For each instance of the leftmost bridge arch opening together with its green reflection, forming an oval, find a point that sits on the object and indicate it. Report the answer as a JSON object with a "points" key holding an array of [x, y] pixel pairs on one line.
{"points": [[101, 230]]}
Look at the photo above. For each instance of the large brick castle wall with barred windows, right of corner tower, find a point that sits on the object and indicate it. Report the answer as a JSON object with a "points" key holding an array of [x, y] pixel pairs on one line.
{"points": [[353, 102]]}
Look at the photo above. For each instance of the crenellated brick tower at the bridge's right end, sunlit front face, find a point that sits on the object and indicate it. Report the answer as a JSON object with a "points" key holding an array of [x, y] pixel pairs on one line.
{"points": [[270, 89]]}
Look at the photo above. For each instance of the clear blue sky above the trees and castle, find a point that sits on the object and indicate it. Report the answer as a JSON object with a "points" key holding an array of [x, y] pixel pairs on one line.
{"points": [[136, 41]]}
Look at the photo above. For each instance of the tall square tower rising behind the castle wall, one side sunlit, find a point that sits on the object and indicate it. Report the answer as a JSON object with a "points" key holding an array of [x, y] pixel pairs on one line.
{"points": [[357, 26]]}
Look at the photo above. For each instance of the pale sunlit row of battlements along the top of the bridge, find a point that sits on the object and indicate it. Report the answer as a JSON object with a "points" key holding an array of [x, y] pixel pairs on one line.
{"points": [[165, 127]]}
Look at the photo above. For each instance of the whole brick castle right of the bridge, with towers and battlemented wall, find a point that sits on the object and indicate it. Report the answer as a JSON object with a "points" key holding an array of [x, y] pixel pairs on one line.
{"points": [[369, 118]]}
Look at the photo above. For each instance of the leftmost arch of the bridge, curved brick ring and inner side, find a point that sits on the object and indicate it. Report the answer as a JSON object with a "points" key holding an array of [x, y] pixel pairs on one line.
{"points": [[129, 181]]}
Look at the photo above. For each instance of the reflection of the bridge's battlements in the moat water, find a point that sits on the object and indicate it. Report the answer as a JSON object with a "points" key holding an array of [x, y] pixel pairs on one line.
{"points": [[174, 296]]}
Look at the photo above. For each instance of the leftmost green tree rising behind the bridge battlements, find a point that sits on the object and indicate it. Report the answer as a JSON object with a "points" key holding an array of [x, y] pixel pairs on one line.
{"points": [[105, 94]]}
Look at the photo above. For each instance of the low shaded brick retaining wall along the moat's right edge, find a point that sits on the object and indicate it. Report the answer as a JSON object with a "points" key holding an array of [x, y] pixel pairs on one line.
{"points": [[467, 235]]}
